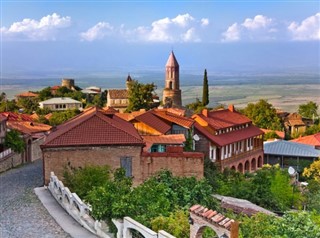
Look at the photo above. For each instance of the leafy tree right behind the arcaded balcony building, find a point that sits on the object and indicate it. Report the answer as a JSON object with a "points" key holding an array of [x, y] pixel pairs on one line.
{"points": [[263, 115]]}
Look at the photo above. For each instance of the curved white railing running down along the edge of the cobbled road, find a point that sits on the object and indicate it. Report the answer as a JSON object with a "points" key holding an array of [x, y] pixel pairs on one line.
{"points": [[75, 207]]}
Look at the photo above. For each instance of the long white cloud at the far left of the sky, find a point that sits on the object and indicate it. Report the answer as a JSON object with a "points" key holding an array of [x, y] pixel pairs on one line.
{"points": [[31, 29]]}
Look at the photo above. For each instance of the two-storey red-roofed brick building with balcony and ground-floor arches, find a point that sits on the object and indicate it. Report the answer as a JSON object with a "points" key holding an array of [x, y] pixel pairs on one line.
{"points": [[229, 139]]}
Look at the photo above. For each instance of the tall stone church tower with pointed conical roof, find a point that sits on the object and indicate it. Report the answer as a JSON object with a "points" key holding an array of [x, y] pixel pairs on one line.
{"points": [[171, 91]]}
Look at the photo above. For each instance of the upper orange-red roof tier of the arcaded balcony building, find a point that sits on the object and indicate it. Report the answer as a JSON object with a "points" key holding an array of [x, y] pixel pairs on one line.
{"points": [[220, 119]]}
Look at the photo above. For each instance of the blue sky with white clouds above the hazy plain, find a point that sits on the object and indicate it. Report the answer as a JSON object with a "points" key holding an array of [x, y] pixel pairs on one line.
{"points": [[74, 37]]}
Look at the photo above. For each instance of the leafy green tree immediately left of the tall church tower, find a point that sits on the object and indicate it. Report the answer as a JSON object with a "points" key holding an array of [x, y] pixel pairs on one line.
{"points": [[140, 96]]}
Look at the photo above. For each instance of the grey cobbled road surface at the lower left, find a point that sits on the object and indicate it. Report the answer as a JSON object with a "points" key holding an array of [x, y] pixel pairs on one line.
{"points": [[21, 212]]}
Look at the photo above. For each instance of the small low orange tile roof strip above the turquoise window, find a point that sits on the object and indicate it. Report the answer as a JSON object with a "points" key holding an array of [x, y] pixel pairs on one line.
{"points": [[175, 139]]}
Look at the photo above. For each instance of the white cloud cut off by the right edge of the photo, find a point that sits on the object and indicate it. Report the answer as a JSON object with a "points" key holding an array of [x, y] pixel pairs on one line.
{"points": [[309, 29]]}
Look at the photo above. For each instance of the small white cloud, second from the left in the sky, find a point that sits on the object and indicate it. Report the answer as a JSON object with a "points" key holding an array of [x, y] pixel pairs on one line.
{"points": [[97, 32]]}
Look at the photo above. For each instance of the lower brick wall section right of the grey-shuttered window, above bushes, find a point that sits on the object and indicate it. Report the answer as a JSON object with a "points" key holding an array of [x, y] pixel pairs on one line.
{"points": [[178, 162]]}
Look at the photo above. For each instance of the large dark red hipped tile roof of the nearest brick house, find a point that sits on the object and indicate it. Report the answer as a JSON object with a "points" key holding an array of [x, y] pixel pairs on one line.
{"points": [[94, 128]]}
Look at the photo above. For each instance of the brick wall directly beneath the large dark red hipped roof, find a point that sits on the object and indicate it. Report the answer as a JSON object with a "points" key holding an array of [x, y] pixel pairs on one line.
{"points": [[56, 159]]}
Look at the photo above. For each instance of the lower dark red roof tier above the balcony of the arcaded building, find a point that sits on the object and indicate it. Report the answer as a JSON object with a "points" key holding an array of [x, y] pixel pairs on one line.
{"points": [[230, 137]]}
